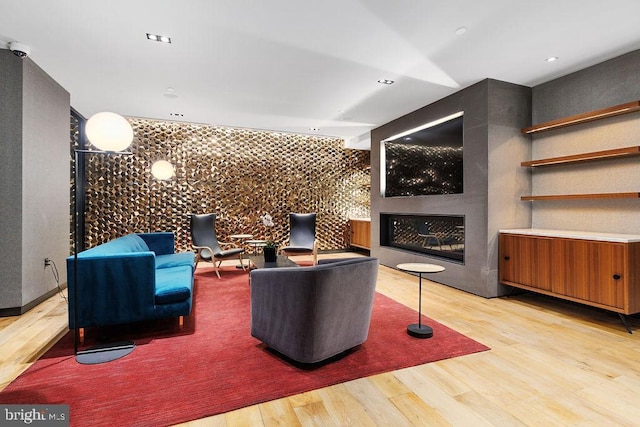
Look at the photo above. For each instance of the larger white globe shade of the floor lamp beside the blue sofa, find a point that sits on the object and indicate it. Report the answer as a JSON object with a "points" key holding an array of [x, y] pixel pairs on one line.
{"points": [[109, 131]]}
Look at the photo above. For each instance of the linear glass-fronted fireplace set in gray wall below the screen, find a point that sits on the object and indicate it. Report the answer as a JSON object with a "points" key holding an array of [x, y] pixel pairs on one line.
{"points": [[437, 235]]}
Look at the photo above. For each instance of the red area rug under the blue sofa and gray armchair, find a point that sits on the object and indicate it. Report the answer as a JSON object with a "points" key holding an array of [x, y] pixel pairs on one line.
{"points": [[213, 365]]}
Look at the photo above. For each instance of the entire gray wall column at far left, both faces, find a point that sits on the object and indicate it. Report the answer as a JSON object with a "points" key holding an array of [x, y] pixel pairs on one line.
{"points": [[34, 208]]}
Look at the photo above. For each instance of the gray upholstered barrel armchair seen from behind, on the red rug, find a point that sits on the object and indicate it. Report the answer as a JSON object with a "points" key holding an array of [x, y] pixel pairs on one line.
{"points": [[310, 314]]}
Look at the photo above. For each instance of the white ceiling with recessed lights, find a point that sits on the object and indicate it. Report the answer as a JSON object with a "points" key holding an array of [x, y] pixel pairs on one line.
{"points": [[292, 65]]}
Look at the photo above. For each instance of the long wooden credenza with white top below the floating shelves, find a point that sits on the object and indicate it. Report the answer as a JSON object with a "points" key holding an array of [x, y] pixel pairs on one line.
{"points": [[597, 269]]}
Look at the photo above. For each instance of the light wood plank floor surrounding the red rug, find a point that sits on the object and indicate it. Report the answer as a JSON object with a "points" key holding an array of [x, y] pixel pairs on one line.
{"points": [[551, 363]]}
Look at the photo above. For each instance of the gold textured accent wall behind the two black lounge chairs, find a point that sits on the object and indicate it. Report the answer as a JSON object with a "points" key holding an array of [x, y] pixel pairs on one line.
{"points": [[239, 174]]}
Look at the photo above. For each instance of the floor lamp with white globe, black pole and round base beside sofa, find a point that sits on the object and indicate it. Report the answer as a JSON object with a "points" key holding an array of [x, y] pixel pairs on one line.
{"points": [[111, 134]]}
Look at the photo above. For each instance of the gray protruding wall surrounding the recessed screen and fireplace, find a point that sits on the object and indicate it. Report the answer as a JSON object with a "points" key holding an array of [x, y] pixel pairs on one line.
{"points": [[494, 113]]}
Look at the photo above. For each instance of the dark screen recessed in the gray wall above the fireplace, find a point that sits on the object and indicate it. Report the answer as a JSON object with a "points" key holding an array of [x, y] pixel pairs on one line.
{"points": [[425, 162]]}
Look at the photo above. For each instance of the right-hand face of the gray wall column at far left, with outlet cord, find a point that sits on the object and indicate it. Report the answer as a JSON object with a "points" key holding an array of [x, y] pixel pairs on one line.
{"points": [[45, 201]]}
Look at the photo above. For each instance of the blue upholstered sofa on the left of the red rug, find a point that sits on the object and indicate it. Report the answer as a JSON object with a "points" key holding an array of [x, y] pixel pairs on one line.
{"points": [[132, 278]]}
